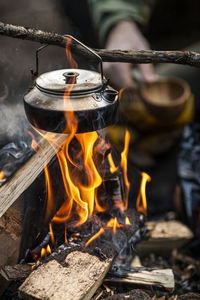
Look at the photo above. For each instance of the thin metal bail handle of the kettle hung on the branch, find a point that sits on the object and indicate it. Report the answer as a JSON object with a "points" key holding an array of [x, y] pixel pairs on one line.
{"points": [[36, 72]]}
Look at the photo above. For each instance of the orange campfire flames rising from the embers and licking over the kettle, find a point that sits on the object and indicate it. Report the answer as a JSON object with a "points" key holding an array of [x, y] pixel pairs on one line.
{"points": [[87, 167]]}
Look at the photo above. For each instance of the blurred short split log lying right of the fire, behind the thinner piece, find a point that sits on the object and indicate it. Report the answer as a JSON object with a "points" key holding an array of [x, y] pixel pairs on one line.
{"points": [[164, 237]]}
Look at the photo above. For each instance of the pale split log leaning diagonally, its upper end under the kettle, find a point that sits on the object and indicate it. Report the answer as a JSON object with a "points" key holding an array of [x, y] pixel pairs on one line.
{"points": [[26, 175]]}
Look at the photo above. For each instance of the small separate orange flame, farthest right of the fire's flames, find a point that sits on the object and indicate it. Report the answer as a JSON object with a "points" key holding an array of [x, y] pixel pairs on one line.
{"points": [[141, 199]]}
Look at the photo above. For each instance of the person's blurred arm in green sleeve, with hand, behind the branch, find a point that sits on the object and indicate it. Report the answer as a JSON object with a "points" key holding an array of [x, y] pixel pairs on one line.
{"points": [[117, 23]]}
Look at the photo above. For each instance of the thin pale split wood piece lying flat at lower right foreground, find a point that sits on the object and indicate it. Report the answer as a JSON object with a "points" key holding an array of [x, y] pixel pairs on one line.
{"points": [[162, 278]]}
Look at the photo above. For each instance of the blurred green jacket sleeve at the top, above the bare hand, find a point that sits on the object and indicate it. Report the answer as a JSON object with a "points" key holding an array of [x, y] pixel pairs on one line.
{"points": [[107, 13]]}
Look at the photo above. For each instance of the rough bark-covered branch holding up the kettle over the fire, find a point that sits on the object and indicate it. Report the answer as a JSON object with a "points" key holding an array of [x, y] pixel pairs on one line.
{"points": [[129, 56]]}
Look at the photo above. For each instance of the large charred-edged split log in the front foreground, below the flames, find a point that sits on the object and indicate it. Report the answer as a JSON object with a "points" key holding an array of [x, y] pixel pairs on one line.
{"points": [[78, 278]]}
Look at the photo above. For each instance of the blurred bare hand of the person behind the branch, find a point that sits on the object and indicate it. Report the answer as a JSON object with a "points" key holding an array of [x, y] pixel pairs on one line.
{"points": [[125, 36]]}
